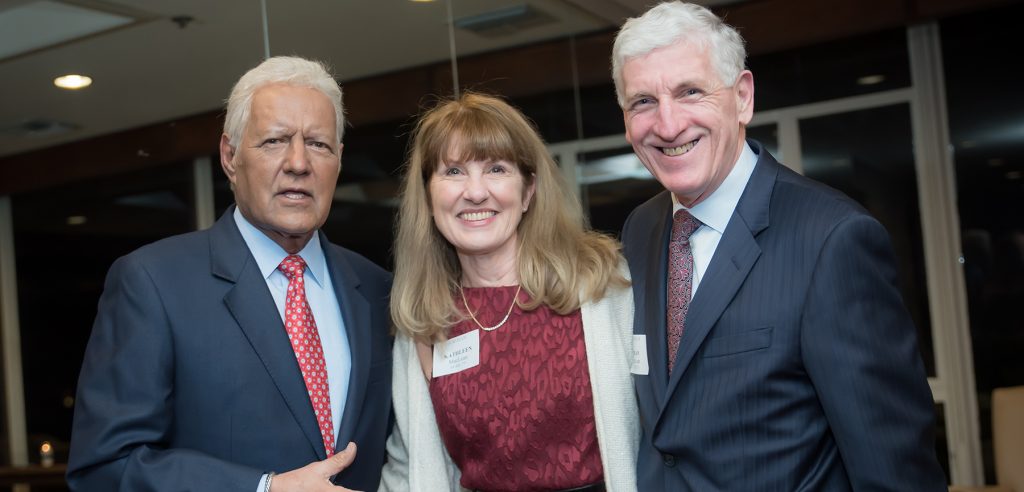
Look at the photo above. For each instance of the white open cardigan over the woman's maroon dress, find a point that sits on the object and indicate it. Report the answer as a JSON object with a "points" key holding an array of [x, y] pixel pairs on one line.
{"points": [[417, 459]]}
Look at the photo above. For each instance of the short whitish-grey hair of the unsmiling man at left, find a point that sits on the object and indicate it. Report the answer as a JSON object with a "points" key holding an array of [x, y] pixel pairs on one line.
{"points": [[280, 70]]}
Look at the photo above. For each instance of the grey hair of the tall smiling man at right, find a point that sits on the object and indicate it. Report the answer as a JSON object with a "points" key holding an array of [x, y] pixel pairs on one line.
{"points": [[672, 23]]}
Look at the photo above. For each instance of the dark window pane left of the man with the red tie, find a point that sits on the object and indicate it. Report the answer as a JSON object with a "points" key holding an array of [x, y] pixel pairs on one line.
{"points": [[65, 241]]}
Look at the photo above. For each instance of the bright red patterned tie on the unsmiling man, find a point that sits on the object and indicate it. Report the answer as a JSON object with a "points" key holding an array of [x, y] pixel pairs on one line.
{"points": [[306, 342]]}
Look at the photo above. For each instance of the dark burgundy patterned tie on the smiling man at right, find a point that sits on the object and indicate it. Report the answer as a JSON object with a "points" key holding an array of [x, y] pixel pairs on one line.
{"points": [[680, 278]]}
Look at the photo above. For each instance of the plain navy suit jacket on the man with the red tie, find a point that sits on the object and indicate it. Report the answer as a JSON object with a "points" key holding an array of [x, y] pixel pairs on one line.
{"points": [[190, 382]]}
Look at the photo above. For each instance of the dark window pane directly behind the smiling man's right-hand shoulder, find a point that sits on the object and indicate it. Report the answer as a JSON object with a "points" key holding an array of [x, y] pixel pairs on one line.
{"points": [[878, 172]]}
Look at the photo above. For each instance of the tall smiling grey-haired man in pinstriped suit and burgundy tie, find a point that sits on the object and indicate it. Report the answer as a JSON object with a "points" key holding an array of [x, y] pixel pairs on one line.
{"points": [[775, 349]]}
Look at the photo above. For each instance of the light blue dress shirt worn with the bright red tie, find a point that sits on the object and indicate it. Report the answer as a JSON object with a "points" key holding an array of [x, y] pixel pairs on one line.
{"points": [[323, 302]]}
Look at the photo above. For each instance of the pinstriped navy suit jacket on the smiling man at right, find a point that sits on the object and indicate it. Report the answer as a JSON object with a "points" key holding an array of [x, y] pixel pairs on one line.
{"points": [[798, 367]]}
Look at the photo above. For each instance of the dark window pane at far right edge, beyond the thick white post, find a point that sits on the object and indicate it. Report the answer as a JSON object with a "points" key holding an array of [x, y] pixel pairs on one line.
{"points": [[987, 124]]}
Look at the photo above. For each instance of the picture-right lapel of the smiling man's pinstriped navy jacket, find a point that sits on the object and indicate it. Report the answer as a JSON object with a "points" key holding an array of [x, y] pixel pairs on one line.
{"points": [[737, 254]]}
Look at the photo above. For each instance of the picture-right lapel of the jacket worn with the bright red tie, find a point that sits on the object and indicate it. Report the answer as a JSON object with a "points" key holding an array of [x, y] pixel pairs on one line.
{"points": [[356, 313]]}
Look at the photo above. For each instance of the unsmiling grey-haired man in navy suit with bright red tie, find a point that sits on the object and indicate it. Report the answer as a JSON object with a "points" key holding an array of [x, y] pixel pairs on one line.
{"points": [[222, 358]]}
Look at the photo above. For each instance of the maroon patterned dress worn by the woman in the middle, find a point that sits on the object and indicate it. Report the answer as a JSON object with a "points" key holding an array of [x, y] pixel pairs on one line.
{"points": [[524, 420]]}
